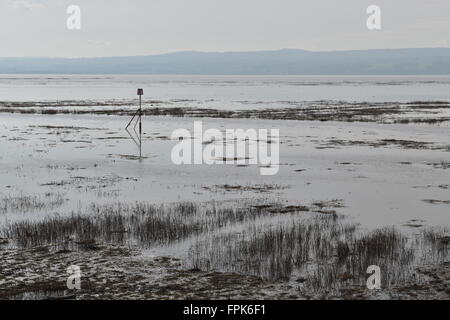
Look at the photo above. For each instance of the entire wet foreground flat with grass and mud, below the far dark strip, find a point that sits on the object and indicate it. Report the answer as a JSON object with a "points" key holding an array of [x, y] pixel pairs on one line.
{"points": [[348, 195]]}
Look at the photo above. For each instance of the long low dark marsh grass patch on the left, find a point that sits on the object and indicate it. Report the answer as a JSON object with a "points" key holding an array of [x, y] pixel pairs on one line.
{"points": [[139, 223]]}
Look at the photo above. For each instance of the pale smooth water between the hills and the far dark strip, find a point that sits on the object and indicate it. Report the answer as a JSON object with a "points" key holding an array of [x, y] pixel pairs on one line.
{"points": [[229, 90]]}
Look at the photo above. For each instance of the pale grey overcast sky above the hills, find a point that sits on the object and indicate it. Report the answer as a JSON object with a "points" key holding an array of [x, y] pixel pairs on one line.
{"points": [[143, 27]]}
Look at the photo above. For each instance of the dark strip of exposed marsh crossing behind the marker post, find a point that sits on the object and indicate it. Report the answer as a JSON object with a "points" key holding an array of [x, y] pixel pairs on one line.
{"points": [[431, 112]]}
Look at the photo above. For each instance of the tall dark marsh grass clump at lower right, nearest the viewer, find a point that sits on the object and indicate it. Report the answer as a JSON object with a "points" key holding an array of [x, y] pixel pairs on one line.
{"points": [[327, 252]]}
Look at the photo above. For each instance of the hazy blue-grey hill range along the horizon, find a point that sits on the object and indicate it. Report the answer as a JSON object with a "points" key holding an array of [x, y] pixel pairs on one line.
{"points": [[280, 62]]}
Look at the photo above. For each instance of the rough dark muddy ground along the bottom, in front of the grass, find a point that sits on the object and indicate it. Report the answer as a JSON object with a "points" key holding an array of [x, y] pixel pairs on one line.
{"points": [[111, 272]]}
